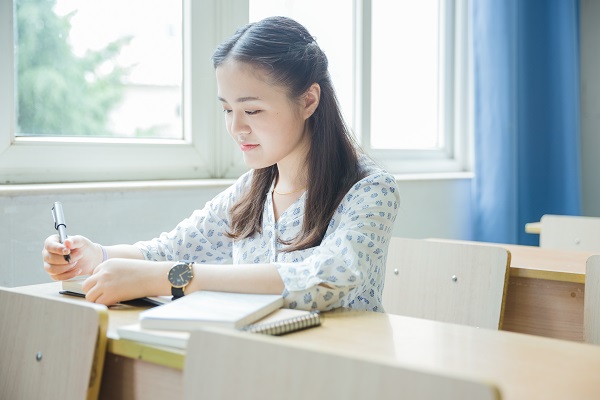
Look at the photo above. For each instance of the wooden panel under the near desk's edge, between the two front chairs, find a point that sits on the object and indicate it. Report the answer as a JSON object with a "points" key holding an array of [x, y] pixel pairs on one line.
{"points": [[129, 379]]}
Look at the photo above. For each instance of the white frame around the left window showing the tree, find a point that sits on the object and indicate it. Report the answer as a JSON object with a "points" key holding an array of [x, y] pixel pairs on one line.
{"points": [[201, 154]]}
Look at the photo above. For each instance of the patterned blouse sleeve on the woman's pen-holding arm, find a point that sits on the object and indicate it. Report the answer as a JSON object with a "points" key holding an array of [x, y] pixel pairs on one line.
{"points": [[200, 237]]}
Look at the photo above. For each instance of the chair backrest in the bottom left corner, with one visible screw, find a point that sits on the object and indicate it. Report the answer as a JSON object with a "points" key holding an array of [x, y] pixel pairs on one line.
{"points": [[50, 348]]}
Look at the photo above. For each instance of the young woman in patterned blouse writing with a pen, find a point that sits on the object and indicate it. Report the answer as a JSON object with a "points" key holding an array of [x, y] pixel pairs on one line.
{"points": [[311, 219]]}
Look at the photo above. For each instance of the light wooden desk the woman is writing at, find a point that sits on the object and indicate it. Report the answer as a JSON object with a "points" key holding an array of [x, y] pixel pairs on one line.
{"points": [[523, 366]]}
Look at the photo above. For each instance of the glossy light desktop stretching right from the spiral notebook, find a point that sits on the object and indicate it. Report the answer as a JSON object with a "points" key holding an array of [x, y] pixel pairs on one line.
{"points": [[523, 366]]}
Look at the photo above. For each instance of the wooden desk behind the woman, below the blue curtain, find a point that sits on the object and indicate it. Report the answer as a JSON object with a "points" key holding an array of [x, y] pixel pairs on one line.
{"points": [[546, 290]]}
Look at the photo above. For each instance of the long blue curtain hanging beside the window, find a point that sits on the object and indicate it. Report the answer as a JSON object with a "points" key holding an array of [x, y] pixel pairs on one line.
{"points": [[526, 115]]}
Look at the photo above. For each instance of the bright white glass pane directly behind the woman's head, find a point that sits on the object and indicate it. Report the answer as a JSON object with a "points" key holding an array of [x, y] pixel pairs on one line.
{"points": [[337, 43]]}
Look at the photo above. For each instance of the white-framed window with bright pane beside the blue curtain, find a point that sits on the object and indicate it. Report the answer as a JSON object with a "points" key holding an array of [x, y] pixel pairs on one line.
{"points": [[414, 77]]}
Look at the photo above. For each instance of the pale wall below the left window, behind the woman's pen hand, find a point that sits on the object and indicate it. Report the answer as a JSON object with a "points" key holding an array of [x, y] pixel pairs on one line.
{"points": [[105, 216]]}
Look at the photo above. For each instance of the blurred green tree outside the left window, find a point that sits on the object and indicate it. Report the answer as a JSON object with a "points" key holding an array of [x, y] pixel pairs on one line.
{"points": [[58, 92]]}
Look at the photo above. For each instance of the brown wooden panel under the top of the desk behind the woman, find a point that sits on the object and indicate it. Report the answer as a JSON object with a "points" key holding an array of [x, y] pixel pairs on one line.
{"points": [[544, 308]]}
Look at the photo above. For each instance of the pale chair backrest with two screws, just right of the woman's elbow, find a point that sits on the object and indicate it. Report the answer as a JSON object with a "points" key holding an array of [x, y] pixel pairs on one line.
{"points": [[450, 282]]}
